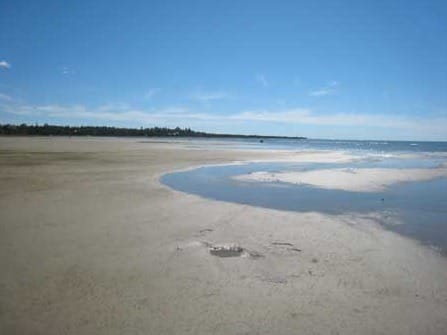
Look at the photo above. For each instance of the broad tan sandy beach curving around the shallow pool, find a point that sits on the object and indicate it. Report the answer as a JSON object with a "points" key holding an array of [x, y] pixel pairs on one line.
{"points": [[91, 243]]}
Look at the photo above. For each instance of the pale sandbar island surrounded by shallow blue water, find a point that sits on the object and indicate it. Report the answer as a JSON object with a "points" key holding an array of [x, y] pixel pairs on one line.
{"points": [[357, 180]]}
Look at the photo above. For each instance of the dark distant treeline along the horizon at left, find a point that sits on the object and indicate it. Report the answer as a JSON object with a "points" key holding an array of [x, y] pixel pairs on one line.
{"points": [[52, 130]]}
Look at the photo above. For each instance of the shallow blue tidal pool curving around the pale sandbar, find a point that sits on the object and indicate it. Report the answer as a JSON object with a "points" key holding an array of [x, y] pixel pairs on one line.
{"points": [[414, 209]]}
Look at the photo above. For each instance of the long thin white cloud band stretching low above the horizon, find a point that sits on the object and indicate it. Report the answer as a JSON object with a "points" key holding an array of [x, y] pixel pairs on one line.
{"points": [[291, 115]]}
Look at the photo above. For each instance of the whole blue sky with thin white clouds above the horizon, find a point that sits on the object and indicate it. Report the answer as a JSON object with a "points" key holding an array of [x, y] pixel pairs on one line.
{"points": [[320, 69]]}
